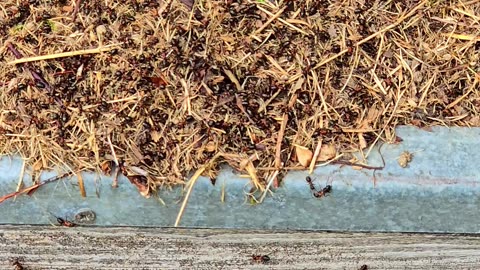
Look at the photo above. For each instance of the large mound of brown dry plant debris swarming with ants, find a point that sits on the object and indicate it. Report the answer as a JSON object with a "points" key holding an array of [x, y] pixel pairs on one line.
{"points": [[249, 82]]}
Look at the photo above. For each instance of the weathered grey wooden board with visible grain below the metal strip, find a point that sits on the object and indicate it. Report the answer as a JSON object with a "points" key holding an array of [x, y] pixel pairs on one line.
{"points": [[43, 247]]}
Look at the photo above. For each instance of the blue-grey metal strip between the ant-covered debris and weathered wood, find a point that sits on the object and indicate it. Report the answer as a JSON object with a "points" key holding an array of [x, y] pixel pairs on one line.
{"points": [[438, 192]]}
